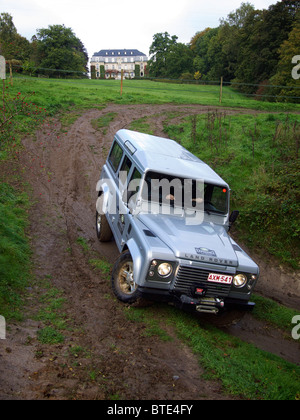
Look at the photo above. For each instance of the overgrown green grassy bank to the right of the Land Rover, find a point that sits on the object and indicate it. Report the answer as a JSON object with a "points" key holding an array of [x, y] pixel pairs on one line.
{"points": [[258, 155]]}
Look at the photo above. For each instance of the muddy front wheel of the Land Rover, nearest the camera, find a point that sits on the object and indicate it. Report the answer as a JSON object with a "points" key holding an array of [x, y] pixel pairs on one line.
{"points": [[123, 284]]}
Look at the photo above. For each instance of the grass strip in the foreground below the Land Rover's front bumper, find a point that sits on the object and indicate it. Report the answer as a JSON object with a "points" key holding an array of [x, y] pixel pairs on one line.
{"points": [[244, 370]]}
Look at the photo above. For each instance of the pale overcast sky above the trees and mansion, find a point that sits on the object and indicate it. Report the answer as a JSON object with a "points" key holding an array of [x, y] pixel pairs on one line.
{"points": [[114, 24]]}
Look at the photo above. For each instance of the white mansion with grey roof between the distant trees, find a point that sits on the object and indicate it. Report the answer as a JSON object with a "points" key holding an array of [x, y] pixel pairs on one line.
{"points": [[110, 63]]}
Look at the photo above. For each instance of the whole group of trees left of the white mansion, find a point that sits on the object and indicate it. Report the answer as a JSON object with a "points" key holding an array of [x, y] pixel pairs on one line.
{"points": [[54, 51]]}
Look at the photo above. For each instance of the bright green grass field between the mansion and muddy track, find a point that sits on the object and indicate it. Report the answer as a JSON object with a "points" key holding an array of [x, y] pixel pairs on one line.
{"points": [[59, 94]]}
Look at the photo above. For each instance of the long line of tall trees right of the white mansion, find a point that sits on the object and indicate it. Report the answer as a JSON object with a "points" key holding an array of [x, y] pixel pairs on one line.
{"points": [[250, 47]]}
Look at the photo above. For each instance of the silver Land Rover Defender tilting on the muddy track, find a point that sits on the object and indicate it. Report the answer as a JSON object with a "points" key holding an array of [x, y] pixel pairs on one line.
{"points": [[169, 214]]}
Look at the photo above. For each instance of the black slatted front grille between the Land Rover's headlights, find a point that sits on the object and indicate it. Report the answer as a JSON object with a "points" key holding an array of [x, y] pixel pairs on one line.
{"points": [[189, 277]]}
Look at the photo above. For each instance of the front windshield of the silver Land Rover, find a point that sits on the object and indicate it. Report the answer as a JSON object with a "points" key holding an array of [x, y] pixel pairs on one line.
{"points": [[188, 194]]}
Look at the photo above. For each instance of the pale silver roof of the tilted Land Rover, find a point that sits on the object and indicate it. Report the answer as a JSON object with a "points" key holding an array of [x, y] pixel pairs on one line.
{"points": [[166, 156]]}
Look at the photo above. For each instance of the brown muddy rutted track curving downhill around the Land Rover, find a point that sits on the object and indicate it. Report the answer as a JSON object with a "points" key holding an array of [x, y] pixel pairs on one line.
{"points": [[63, 167]]}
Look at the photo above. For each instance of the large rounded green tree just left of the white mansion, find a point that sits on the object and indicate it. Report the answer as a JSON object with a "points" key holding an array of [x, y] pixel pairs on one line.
{"points": [[59, 49]]}
